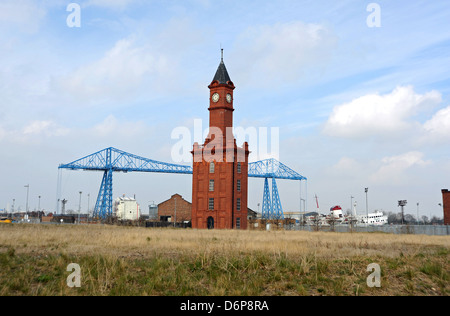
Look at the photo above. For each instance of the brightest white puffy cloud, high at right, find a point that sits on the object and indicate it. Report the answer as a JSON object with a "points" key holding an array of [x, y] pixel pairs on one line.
{"points": [[376, 114]]}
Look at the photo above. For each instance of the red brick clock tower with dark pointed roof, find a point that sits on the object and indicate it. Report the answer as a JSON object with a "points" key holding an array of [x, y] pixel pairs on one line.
{"points": [[220, 169]]}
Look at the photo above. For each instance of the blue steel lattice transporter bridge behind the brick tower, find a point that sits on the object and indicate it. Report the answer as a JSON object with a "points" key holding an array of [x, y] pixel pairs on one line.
{"points": [[112, 160]]}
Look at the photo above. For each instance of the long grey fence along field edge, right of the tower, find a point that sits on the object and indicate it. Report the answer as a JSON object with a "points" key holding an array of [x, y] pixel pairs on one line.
{"points": [[434, 230]]}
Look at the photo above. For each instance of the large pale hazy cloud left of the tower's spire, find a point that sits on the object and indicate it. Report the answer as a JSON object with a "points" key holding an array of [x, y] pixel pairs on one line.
{"points": [[143, 64]]}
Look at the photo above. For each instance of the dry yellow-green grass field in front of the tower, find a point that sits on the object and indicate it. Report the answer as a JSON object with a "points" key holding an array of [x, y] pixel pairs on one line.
{"points": [[139, 261]]}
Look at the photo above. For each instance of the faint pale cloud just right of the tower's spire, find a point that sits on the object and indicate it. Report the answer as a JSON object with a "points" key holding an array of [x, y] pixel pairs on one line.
{"points": [[283, 52]]}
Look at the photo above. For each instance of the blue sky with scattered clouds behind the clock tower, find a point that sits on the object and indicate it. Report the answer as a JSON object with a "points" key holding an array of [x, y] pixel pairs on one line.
{"points": [[356, 106]]}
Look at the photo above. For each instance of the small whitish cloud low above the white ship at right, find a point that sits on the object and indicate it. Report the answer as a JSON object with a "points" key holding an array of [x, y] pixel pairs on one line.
{"points": [[393, 169]]}
